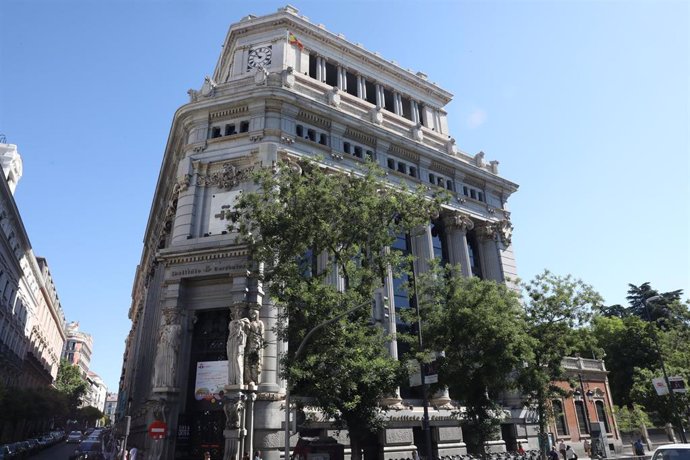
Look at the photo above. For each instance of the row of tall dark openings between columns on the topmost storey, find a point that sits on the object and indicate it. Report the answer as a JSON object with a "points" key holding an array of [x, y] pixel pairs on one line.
{"points": [[349, 84]]}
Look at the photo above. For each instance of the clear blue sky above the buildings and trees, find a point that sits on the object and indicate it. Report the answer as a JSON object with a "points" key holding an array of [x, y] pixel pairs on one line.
{"points": [[584, 103]]}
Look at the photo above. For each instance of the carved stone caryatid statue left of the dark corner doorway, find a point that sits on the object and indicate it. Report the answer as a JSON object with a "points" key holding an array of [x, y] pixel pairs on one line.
{"points": [[165, 364]]}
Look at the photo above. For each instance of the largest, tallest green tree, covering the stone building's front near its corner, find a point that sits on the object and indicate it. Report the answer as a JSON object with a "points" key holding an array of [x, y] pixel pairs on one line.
{"points": [[303, 225]]}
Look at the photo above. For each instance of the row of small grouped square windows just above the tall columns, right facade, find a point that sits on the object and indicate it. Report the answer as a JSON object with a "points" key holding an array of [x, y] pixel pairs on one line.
{"points": [[393, 164]]}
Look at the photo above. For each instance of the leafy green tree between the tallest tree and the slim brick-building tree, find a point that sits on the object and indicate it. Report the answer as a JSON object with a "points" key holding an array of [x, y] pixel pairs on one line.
{"points": [[480, 326]]}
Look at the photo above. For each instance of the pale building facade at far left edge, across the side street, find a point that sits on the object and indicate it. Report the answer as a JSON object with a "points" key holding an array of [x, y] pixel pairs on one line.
{"points": [[31, 316]]}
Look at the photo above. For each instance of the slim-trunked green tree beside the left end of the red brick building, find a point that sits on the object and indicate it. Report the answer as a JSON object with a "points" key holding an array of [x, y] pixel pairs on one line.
{"points": [[555, 306]]}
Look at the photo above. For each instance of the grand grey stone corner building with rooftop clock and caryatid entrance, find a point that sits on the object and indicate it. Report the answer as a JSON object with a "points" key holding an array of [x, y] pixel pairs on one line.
{"points": [[284, 88]]}
